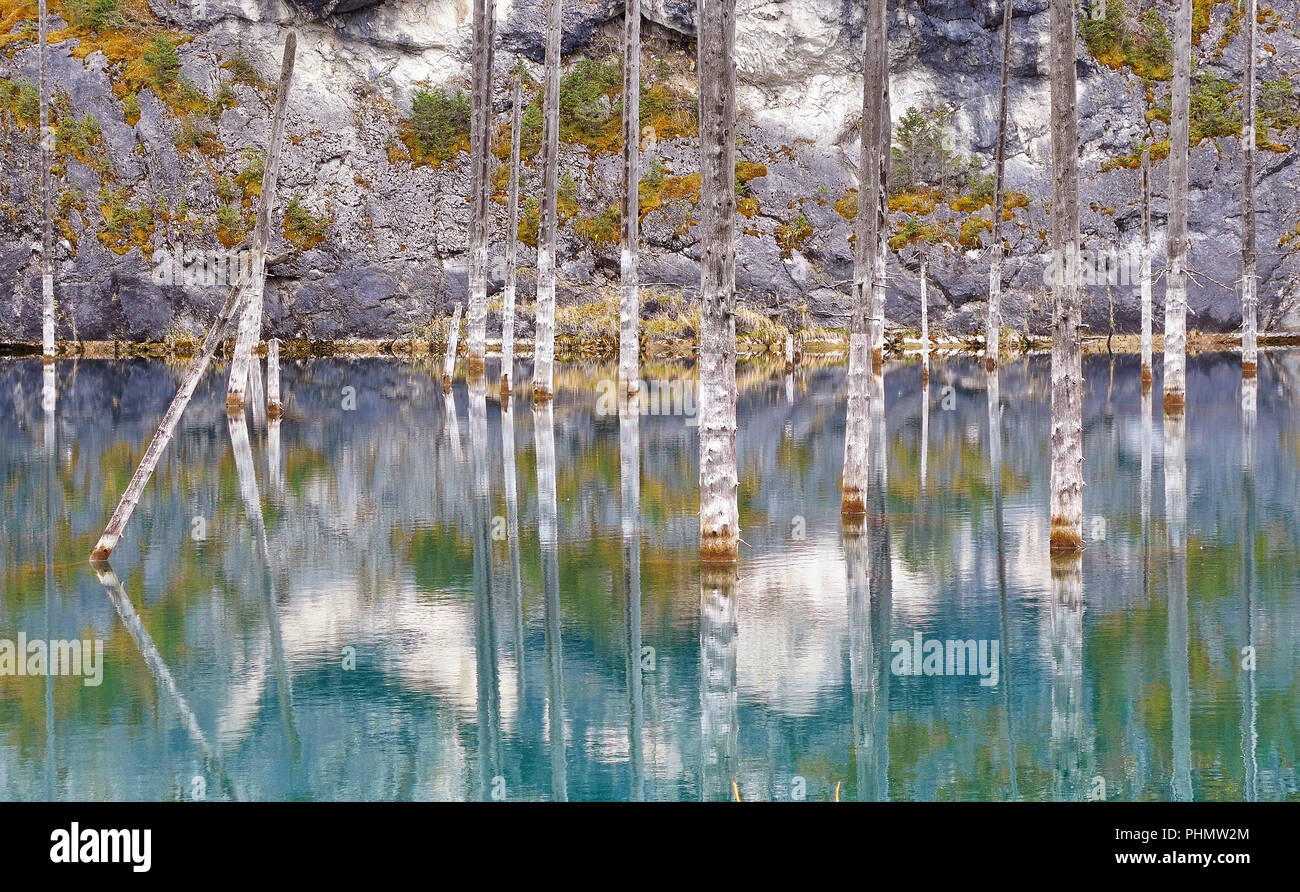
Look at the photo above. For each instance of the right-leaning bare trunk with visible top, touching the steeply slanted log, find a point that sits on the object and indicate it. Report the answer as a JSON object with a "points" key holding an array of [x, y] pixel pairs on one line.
{"points": [[250, 321]]}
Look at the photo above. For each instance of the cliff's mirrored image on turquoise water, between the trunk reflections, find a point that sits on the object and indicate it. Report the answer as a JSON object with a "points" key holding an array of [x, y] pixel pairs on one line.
{"points": [[372, 542]]}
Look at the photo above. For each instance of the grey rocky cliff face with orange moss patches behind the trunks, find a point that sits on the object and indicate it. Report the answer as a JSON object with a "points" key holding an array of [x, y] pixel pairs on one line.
{"points": [[378, 245]]}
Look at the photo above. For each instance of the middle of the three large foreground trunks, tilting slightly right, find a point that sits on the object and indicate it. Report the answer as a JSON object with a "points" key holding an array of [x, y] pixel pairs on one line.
{"points": [[857, 425]]}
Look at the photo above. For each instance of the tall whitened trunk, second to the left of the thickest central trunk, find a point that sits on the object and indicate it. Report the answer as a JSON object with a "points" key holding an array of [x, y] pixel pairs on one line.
{"points": [[544, 344]]}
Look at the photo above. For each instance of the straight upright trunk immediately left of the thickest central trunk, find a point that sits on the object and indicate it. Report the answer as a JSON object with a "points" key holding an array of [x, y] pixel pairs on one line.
{"points": [[630, 306]]}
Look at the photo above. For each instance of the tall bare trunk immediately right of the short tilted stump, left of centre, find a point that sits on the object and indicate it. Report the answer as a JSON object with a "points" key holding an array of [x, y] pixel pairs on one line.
{"points": [[480, 174]]}
